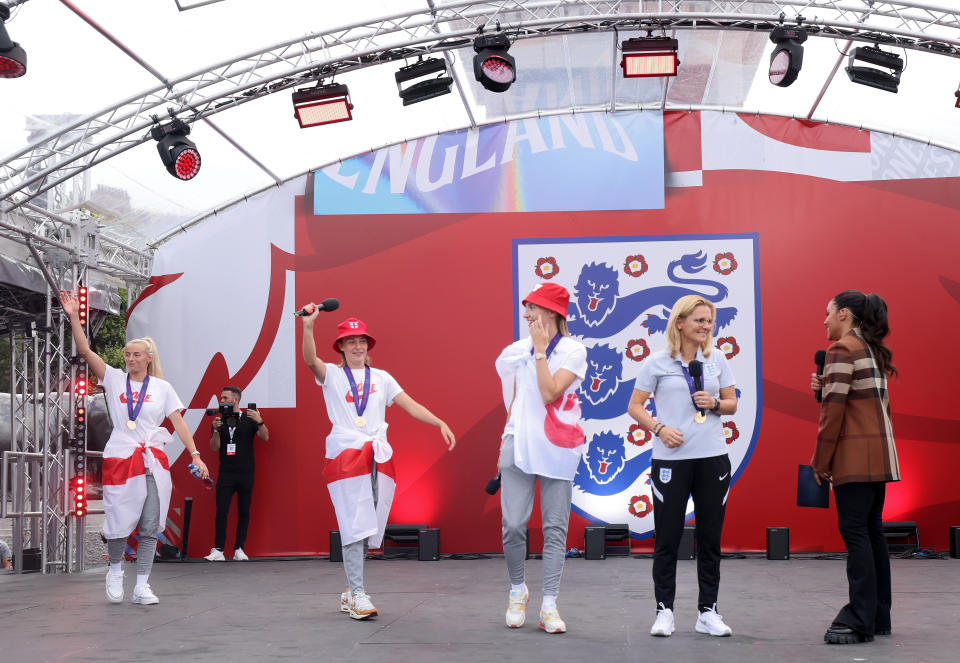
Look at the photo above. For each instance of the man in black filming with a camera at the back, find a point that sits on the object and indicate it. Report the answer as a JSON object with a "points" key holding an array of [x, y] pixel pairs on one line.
{"points": [[232, 437]]}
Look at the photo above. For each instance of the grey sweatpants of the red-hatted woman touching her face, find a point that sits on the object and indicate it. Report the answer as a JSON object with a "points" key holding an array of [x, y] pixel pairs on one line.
{"points": [[516, 504]]}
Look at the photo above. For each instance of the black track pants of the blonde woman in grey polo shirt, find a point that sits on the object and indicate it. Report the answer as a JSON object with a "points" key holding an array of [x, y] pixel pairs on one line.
{"points": [[674, 481]]}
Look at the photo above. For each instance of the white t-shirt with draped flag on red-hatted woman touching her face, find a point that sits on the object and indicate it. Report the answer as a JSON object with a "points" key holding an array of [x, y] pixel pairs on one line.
{"points": [[547, 438]]}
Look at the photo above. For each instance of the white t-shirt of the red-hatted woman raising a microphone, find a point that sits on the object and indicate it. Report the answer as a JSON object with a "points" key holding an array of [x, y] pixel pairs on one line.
{"points": [[339, 398]]}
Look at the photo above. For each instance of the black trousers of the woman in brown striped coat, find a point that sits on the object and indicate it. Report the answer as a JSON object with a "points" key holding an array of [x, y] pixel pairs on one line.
{"points": [[860, 518]]}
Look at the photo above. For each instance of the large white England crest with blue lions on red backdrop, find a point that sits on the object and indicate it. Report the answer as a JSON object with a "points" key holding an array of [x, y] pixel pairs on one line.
{"points": [[621, 293]]}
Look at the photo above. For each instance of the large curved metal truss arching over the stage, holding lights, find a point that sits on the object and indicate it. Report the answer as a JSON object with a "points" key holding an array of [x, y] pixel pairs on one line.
{"points": [[435, 29]]}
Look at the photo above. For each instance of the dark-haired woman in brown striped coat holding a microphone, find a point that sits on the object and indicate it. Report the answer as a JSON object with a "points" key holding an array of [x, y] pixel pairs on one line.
{"points": [[856, 452]]}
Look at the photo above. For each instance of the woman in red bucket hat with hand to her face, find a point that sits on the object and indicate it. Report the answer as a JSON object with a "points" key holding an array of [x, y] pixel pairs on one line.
{"points": [[542, 441]]}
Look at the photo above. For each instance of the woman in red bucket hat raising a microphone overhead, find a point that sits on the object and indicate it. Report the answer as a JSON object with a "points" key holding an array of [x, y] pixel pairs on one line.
{"points": [[359, 471]]}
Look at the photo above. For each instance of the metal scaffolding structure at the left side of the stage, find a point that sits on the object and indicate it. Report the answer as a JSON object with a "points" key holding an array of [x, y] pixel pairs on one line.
{"points": [[47, 251]]}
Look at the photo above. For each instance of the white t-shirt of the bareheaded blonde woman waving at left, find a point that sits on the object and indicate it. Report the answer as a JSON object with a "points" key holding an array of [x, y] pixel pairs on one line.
{"points": [[160, 402]]}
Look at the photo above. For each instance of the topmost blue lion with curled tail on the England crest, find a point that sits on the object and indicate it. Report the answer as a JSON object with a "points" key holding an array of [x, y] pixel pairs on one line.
{"points": [[599, 311]]}
